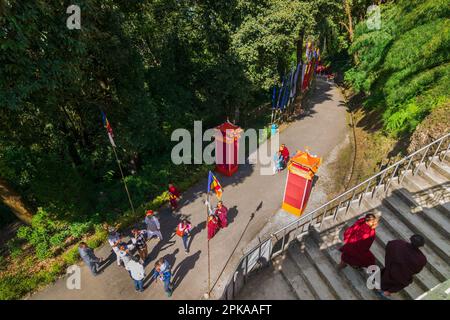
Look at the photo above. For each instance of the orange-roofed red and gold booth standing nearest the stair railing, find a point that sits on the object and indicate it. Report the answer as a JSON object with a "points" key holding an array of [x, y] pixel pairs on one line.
{"points": [[301, 170]]}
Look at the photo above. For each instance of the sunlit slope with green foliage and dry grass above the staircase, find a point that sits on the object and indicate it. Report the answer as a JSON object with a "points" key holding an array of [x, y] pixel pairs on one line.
{"points": [[399, 88]]}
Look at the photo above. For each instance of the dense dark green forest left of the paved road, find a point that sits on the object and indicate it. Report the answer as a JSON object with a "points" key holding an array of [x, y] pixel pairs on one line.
{"points": [[152, 67]]}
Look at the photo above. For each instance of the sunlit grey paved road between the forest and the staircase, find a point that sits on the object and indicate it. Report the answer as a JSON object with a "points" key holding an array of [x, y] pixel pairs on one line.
{"points": [[245, 193]]}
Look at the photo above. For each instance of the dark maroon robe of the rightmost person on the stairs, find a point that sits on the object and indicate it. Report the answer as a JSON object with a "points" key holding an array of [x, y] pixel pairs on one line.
{"points": [[401, 263]]}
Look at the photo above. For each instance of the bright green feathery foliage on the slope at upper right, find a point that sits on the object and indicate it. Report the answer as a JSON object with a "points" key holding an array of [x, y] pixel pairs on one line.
{"points": [[404, 68]]}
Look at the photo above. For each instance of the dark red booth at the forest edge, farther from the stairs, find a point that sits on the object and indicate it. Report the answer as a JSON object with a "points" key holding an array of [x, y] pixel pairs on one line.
{"points": [[227, 148]]}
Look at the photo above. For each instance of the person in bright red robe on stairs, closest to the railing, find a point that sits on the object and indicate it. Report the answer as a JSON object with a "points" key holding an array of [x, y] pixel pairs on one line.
{"points": [[357, 242]]}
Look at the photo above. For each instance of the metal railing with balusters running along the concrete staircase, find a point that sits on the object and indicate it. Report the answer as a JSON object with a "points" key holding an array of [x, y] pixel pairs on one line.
{"points": [[278, 241]]}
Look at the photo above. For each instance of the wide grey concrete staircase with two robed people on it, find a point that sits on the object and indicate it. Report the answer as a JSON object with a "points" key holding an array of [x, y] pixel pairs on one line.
{"points": [[420, 204]]}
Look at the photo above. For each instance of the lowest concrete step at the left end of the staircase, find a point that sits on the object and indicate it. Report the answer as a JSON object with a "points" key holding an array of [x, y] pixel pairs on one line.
{"points": [[293, 277]]}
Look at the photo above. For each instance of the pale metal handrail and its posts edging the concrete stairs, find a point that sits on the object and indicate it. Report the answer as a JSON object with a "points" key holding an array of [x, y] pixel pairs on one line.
{"points": [[336, 203]]}
